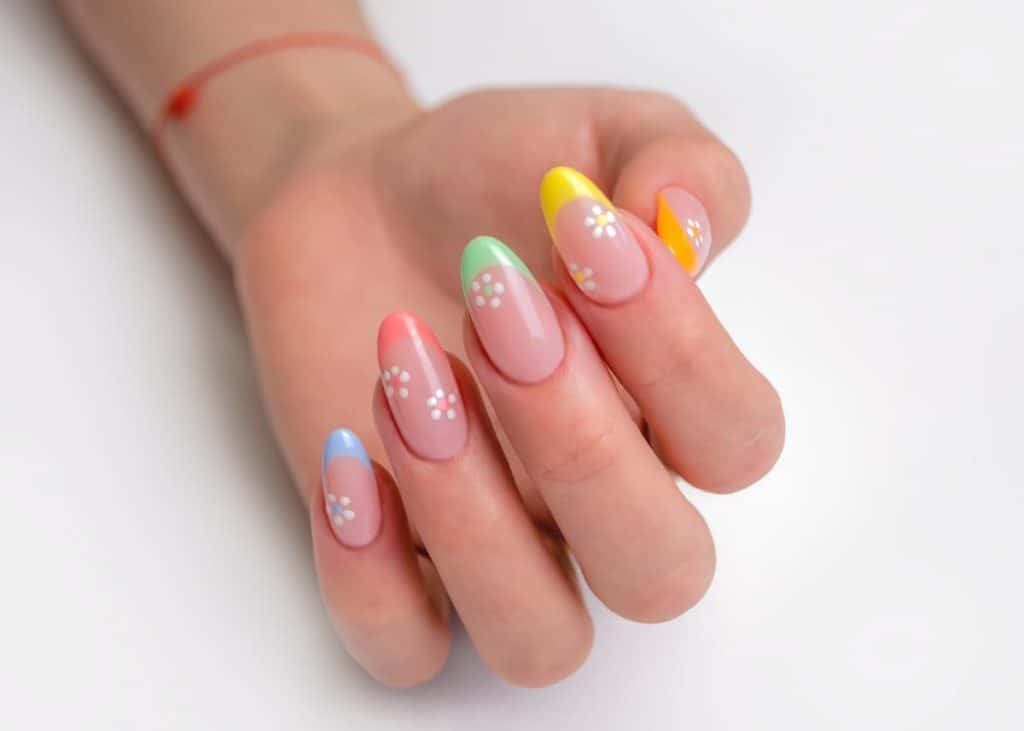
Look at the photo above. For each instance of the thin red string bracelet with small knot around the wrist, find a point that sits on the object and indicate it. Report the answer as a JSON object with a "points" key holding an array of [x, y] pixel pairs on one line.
{"points": [[183, 100]]}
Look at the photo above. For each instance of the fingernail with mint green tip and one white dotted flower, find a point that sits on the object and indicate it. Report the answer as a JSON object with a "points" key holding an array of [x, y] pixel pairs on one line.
{"points": [[510, 312]]}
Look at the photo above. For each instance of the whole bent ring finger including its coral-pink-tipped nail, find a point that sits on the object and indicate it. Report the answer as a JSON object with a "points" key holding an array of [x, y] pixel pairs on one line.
{"points": [[521, 609]]}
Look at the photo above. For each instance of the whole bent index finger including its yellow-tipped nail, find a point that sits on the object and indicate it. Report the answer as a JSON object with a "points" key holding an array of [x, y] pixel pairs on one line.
{"points": [[715, 418]]}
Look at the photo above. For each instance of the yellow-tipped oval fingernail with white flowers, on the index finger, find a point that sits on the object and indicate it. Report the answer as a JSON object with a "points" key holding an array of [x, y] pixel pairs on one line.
{"points": [[598, 248]]}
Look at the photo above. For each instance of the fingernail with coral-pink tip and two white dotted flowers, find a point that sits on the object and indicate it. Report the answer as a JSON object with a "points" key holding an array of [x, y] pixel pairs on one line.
{"points": [[420, 388]]}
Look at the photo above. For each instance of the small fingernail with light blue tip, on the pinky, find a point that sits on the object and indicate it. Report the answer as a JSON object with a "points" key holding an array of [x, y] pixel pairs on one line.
{"points": [[351, 497]]}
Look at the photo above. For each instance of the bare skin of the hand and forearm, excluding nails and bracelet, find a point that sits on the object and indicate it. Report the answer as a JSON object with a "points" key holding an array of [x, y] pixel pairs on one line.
{"points": [[336, 209]]}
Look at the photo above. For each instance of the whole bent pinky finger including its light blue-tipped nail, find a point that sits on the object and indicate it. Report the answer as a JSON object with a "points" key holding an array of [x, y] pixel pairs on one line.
{"points": [[370, 577]]}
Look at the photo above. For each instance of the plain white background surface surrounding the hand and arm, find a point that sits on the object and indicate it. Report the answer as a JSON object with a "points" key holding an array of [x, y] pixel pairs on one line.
{"points": [[155, 563]]}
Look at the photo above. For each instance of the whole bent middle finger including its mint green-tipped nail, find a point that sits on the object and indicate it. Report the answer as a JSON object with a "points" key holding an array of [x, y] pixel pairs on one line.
{"points": [[644, 548]]}
